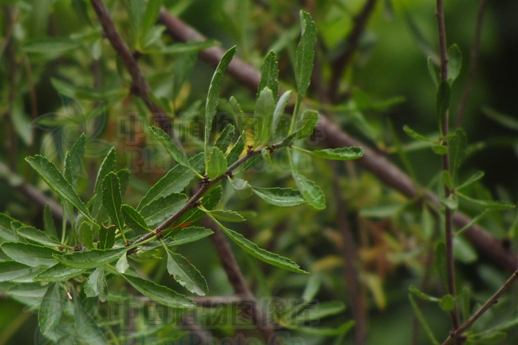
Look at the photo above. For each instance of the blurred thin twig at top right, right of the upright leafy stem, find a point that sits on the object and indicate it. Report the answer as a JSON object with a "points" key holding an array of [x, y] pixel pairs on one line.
{"points": [[461, 110]]}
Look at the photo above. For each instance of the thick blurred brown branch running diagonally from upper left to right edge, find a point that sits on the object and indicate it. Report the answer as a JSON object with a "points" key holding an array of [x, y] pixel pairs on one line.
{"points": [[377, 164]]}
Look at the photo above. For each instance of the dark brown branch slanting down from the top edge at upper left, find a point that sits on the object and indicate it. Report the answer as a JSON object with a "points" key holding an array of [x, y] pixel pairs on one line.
{"points": [[140, 86]]}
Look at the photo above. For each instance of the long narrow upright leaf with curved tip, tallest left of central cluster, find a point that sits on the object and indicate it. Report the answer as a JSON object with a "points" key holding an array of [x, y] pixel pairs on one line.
{"points": [[213, 97]]}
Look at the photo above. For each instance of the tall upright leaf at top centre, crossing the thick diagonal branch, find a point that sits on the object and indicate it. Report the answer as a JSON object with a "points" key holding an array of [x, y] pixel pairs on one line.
{"points": [[305, 53]]}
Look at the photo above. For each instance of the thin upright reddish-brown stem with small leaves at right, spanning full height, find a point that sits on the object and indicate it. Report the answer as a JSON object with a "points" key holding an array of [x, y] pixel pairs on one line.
{"points": [[448, 212]]}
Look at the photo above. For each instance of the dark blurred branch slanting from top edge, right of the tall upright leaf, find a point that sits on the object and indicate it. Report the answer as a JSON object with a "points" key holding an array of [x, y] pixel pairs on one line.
{"points": [[352, 42]]}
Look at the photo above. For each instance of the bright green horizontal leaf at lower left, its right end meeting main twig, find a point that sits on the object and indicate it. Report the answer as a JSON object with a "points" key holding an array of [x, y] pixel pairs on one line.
{"points": [[91, 258]]}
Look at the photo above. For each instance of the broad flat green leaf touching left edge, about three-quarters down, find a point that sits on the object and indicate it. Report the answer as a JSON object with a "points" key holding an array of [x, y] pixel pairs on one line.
{"points": [[31, 254]]}
